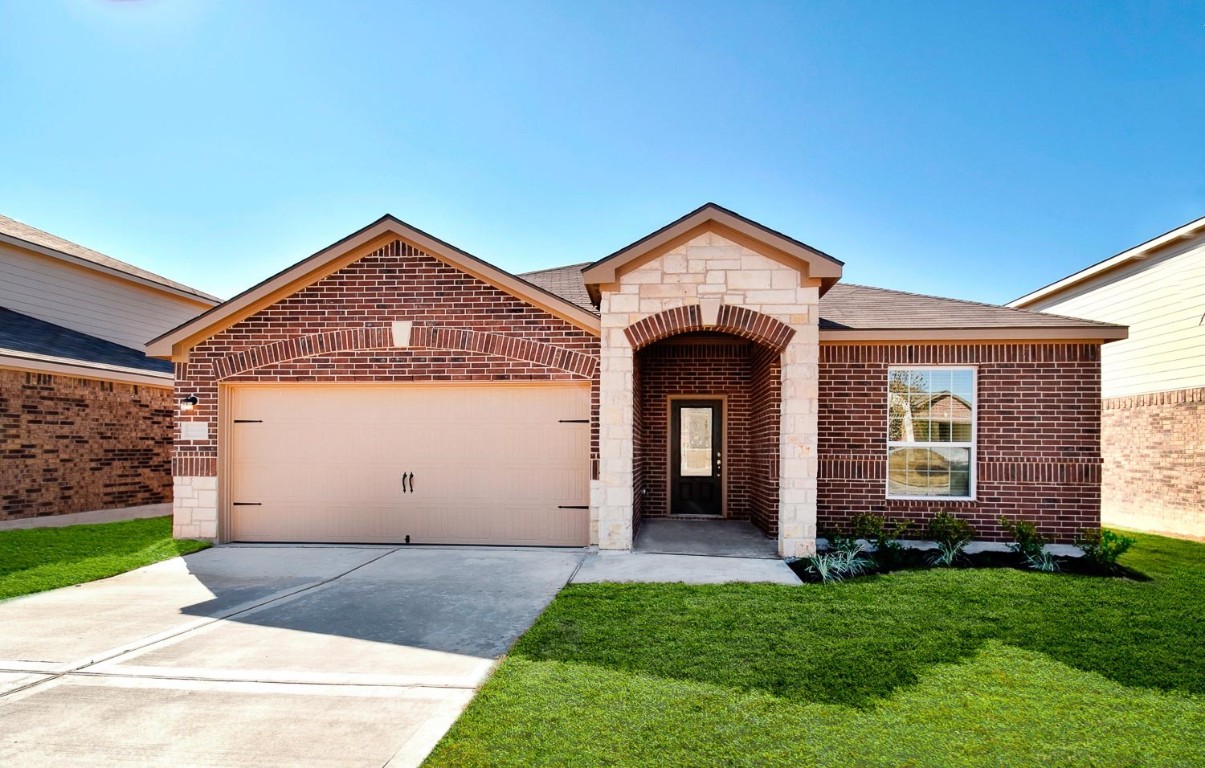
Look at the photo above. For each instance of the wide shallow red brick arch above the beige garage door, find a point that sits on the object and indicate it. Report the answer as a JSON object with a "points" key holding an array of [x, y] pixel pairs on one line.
{"points": [[426, 337]]}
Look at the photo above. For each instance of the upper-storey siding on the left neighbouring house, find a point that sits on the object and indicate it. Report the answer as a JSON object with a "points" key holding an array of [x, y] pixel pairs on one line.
{"points": [[86, 301]]}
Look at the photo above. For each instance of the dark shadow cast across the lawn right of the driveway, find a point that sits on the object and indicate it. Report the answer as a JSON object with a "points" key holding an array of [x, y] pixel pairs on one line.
{"points": [[857, 643]]}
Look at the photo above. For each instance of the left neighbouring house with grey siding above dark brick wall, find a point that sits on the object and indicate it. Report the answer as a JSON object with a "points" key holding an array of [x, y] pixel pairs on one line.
{"points": [[86, 417]]}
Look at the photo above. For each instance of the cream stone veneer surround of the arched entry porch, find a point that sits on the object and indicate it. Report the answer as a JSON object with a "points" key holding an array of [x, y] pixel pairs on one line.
{"points": [[710, 269]]}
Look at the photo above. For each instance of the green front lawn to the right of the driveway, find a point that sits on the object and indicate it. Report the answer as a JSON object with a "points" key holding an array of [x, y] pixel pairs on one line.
{"points": [[914, 669]]}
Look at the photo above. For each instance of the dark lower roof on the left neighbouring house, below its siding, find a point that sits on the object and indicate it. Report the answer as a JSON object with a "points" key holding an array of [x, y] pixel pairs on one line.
{"points": [[22, 336]]}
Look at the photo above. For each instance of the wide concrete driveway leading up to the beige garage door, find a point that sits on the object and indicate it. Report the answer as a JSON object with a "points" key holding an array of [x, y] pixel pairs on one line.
{"points": [[266, 655]]}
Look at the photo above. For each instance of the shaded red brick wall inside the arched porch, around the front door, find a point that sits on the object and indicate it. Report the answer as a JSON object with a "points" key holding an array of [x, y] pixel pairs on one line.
{"points": [[697, 366]]}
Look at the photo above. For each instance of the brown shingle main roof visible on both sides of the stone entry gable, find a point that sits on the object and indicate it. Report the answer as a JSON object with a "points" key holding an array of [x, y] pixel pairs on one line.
{"points": [[849, 307]]}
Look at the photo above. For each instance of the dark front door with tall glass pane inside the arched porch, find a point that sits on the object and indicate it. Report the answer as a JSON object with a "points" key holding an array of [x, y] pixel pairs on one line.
{"points": [[697, 436]]}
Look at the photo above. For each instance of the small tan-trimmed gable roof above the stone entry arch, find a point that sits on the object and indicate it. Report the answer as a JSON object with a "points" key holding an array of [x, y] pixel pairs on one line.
{"points": [[730, 224]]}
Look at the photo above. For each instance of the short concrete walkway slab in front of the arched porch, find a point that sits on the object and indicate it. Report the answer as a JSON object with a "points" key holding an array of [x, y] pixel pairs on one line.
{"points": [[636, 567]]}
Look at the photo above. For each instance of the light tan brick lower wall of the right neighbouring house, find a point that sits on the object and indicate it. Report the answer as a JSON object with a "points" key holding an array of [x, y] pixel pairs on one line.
{"points": [[1154, 448]]}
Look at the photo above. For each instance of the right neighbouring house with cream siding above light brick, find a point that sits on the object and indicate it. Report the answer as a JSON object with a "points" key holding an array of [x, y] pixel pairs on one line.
{"points": [[1153, 383]]}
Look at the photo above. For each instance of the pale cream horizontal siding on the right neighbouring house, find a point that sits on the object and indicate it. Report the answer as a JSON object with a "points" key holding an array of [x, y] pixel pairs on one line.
{"points": [[1163, 302]]}
